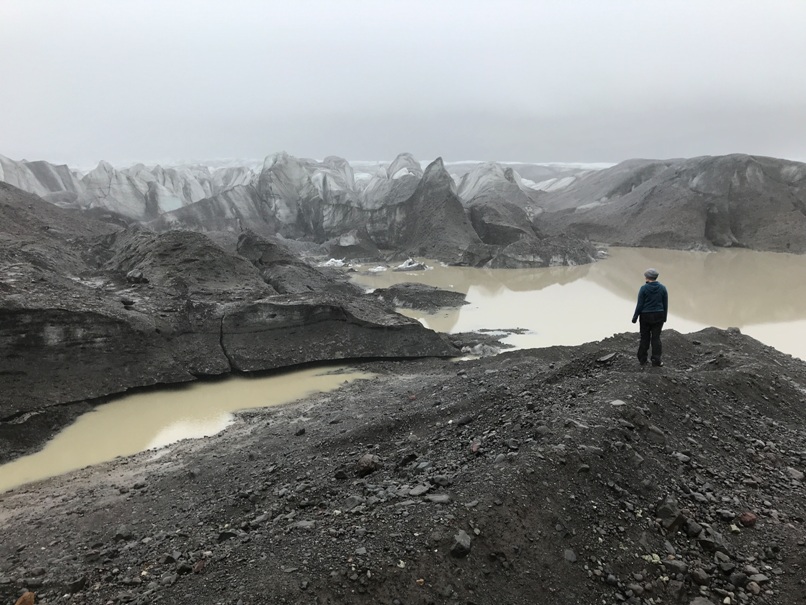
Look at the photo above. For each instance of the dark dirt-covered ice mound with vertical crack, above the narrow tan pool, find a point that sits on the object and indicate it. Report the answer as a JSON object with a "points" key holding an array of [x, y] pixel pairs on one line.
{"points": [[99, 310]]}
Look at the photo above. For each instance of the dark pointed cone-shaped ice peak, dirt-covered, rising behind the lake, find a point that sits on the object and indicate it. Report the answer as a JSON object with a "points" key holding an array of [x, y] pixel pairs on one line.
{"points": [[435, 224]]}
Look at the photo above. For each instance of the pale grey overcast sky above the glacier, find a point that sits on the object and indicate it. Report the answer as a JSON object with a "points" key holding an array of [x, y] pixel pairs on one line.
{"points": [[564, 80]]}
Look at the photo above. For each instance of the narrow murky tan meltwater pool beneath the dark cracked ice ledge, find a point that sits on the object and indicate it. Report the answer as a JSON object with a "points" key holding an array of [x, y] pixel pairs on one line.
{"points": [[143, 421]]}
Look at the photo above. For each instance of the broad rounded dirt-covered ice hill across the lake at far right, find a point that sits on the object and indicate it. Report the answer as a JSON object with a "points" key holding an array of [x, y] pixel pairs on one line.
{"points": [[698, 203]]}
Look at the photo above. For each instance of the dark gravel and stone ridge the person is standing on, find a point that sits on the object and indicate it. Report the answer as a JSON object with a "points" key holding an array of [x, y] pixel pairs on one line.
{"points": [[560, 475]]}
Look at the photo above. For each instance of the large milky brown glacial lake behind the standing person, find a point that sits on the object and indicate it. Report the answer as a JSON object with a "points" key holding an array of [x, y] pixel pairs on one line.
{"points": [[760, 292]]}
